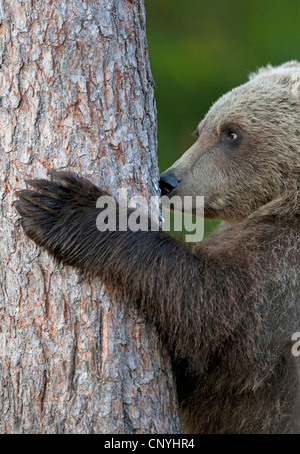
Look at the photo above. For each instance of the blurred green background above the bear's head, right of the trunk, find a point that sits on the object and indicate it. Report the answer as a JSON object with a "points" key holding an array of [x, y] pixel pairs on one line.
{"points": [[199, 49]]}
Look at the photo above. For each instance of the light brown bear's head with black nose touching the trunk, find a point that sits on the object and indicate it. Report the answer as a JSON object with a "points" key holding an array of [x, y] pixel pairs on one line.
{"points": [[248, 148]]}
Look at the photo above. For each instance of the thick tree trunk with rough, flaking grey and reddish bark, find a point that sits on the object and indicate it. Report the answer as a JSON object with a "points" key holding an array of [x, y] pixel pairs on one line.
{"points": [[76, 93]]}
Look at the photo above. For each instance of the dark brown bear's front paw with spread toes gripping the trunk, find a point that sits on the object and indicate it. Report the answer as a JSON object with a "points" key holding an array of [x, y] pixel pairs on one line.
{"points": [[54, 212]]}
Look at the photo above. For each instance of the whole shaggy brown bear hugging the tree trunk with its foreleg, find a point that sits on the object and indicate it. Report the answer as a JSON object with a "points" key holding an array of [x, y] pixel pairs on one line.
{"points": [[227, 309]]}
